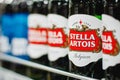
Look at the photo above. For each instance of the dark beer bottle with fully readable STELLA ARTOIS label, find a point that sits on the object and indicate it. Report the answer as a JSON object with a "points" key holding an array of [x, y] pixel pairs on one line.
{"points": [[84, 58]]}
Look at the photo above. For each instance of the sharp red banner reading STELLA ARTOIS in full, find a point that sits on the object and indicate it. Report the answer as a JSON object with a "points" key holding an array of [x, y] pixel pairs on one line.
{"points": [[84, 40]]}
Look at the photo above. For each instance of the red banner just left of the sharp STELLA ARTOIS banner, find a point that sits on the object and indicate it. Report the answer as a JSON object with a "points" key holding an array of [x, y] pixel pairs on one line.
{"points": [[57, 38]]}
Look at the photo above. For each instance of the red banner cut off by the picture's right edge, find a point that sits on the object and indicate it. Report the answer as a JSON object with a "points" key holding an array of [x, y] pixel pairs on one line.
{"points": [[109, 43]]}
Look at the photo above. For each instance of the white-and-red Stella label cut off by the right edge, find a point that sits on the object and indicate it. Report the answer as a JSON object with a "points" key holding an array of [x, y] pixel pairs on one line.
{"points": [[110, 41]]}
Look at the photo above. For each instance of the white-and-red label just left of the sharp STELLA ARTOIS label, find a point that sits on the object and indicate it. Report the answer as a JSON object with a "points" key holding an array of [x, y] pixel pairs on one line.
{"points": [[57, 37]]}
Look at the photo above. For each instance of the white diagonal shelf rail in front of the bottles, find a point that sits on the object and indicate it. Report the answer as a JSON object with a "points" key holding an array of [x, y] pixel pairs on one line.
{"points": [[41, 67]]}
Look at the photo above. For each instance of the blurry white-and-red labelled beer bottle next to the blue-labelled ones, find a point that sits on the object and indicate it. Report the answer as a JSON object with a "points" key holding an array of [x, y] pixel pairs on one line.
{"points": [[37, 47]]}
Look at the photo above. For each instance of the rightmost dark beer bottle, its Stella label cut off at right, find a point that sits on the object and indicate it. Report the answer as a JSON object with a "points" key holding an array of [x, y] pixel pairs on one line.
{"points": [[111, 24]]}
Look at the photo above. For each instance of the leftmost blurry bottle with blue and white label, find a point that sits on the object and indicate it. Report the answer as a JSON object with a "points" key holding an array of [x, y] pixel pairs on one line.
{"points": [[6, 23]]}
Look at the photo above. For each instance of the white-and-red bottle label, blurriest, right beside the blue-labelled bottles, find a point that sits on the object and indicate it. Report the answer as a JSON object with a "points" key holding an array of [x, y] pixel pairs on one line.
{"points": [[37, 35]]}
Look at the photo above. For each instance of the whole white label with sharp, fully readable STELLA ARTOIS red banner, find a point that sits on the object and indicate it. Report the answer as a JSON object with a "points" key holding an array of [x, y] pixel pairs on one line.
{"points": [[84, 39]]}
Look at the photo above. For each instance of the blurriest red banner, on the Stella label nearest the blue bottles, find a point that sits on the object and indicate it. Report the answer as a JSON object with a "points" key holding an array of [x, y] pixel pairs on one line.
{"points": [[37, 35]]}
